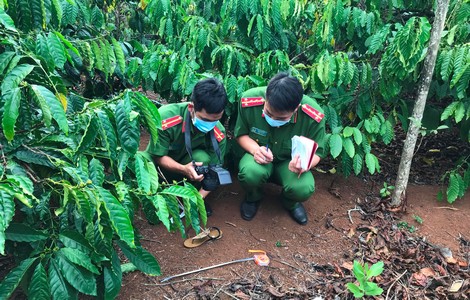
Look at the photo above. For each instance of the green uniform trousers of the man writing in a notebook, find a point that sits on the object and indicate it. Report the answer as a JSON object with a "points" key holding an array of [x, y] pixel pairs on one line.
{"points": [[252, 176]]}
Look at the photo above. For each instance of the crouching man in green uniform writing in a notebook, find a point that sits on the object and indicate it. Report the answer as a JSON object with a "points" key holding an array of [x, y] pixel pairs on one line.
{"points": [[268, 118]]}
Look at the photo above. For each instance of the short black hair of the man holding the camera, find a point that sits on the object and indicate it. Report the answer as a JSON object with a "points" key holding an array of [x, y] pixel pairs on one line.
{"points": [[209, 94]]}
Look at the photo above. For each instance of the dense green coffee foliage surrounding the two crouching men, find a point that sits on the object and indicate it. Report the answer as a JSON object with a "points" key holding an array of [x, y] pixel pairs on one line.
{"points": [[71, 174]]}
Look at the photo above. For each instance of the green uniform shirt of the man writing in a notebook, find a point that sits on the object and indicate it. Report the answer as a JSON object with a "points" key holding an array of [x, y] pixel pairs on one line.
{"points": [[308, 121]]}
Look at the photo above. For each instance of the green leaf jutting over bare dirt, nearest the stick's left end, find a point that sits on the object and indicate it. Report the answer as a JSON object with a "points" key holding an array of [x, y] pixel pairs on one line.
{"points": [[141, 258]]}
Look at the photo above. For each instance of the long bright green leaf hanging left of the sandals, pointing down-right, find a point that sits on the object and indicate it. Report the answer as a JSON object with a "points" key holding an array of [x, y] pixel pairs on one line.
{"points": [[118, 216]]}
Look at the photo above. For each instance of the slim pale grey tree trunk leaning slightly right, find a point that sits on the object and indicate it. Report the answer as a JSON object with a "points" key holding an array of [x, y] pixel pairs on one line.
{"points": [[423, 89]]}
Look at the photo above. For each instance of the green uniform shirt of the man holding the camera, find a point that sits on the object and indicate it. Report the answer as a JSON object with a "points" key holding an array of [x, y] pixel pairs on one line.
{"points": [[171, 136]]}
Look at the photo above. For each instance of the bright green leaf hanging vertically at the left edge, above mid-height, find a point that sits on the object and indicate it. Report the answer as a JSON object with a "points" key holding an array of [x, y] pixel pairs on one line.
{"points": [[11, 112]]}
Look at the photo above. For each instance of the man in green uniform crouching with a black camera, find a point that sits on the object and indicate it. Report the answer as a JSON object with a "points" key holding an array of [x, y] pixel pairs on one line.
{"points": [[201, 116]]}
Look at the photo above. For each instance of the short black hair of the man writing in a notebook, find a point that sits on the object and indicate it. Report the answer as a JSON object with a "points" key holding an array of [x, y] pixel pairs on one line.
{"points": [[284, 92]]}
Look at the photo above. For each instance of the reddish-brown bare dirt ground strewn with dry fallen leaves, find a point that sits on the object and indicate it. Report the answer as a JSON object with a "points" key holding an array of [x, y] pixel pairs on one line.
{"points": [[347, 221]]}
